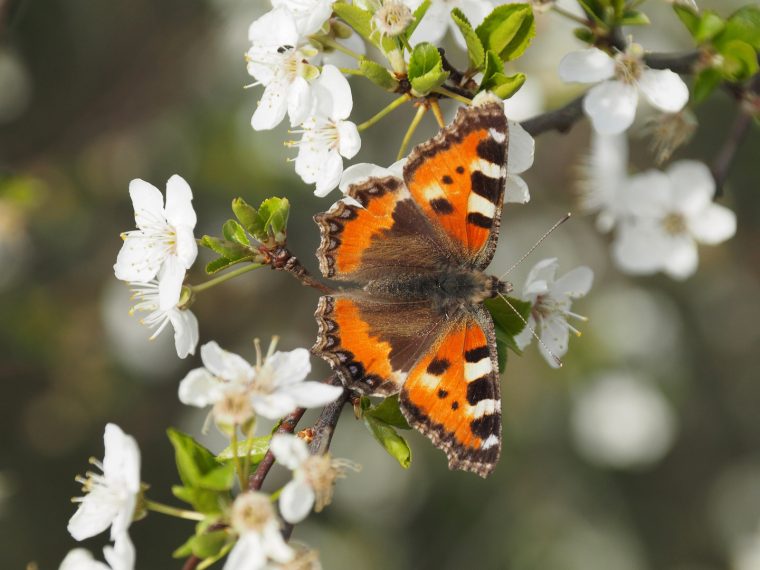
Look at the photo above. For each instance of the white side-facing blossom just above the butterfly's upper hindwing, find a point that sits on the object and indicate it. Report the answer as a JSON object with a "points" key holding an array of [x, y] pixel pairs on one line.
{"points": [[326, 136]]}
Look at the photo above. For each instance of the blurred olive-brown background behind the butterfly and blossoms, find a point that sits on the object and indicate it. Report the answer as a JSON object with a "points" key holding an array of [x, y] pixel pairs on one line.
{"points": [[642, 453]]}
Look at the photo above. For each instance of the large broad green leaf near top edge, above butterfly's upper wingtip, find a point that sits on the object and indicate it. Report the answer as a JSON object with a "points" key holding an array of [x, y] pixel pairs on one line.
{"points": [[508, 30]]}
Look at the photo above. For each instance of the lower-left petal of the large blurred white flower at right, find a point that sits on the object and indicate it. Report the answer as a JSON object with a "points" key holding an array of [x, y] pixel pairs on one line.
{"points": [[638, 248]]}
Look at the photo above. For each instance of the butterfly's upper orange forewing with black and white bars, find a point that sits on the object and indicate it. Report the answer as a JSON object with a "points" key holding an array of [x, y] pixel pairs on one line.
{"points": [[458, 178]]}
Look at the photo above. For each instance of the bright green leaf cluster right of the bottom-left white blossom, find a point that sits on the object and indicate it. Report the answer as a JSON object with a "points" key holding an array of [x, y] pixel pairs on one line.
{"points": [[206, 481]]}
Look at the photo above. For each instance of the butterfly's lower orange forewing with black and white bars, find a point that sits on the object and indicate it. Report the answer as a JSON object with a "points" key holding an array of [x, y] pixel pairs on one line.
{"points": [[452, 394]]}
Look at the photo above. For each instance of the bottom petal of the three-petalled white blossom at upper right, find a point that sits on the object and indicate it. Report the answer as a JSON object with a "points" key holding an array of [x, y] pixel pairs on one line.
{"points": [[611, 106]]}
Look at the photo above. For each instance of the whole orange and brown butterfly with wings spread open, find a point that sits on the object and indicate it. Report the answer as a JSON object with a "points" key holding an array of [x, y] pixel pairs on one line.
{"points": [[419, 247]]}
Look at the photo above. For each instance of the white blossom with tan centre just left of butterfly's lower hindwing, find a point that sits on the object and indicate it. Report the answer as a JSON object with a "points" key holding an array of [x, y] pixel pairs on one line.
{"points": [[272, 389]]}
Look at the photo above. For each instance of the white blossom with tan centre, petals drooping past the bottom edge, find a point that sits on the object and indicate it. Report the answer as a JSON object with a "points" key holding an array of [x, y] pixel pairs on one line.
{"points": [[258, 529]]}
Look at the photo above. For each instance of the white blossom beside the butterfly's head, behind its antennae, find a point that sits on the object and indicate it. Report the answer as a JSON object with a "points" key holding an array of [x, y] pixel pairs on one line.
{"points": [[552, 299]]}
